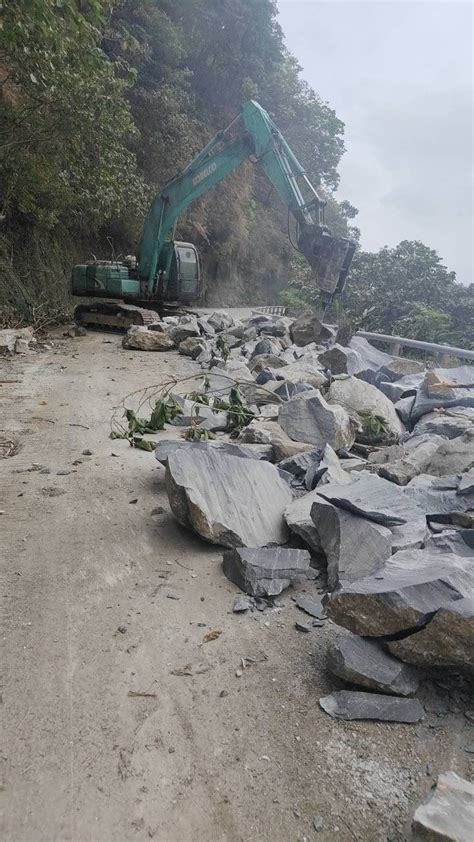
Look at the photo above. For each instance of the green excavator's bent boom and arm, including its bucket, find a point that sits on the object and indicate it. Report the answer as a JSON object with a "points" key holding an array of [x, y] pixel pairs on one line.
{"points": [[251, 135]]}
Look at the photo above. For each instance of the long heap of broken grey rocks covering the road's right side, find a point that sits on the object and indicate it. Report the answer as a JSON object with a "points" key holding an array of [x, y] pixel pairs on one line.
{"points": [[356, 466]]}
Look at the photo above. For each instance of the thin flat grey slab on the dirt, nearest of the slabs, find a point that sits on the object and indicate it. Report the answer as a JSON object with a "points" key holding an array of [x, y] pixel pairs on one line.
{"points": [[348, 704]]}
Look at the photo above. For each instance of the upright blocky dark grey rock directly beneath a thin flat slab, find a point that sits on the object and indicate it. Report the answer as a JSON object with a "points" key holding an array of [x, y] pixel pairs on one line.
{"points": [[354, 547]]}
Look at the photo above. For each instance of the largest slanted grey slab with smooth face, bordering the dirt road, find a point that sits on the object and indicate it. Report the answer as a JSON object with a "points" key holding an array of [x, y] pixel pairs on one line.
{"points": [[228, 501]]}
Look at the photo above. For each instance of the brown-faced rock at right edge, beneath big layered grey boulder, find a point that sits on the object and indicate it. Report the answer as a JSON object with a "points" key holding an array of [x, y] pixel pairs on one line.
{"points": [[446, 641]]}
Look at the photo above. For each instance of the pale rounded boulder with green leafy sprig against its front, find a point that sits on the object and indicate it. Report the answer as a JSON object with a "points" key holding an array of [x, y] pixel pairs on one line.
{"points": [[359, 398]]}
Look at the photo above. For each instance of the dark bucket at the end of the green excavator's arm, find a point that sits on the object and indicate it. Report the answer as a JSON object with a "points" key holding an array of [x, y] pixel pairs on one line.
{"points": [[330, 259]]}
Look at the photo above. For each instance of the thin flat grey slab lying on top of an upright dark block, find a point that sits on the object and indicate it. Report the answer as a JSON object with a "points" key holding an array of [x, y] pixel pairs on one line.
{"points": [[374, 498]]}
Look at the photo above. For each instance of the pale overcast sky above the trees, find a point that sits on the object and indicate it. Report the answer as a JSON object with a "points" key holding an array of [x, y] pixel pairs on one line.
{"points": [[399, 75]]}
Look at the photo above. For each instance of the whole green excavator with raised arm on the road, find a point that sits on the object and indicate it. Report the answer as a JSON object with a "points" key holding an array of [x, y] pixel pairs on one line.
{"points": [[167, 272]]}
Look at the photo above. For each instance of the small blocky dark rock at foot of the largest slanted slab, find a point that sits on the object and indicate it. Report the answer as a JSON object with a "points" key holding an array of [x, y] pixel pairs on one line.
{"points": [[265, 572]]}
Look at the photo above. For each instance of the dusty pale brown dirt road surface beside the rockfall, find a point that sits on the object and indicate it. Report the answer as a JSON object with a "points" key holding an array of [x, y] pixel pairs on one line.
{"points": [[120, 723]]}
